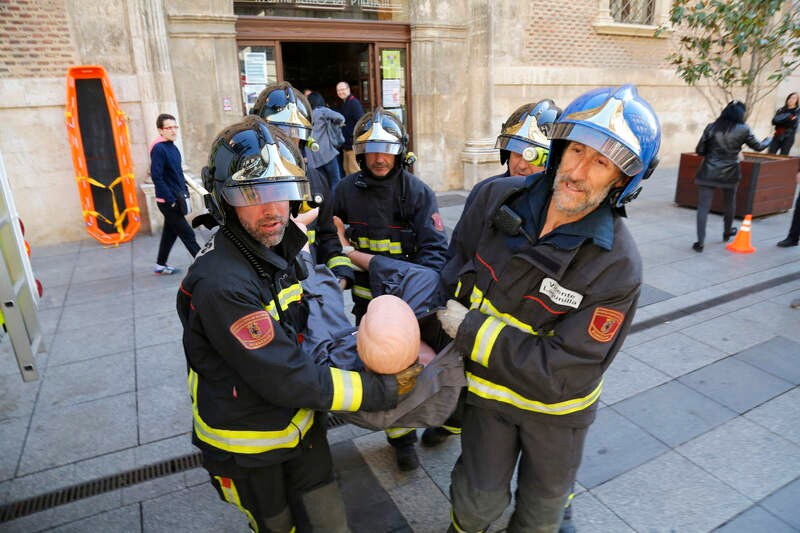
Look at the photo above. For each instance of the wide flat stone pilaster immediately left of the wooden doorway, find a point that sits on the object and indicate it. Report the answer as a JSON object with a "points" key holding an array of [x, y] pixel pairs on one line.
{"points": [[205, 72]]}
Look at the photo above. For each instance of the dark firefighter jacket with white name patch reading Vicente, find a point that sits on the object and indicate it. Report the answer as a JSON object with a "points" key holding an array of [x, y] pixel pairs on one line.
{"points": [[546, 319]]}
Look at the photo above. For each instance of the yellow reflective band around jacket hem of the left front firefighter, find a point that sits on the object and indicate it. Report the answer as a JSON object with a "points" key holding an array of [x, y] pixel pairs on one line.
{"points": [[248, 441]]}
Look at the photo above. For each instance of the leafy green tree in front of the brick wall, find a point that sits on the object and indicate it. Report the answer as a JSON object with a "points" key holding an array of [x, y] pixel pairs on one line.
{"points": [[735, 47]]}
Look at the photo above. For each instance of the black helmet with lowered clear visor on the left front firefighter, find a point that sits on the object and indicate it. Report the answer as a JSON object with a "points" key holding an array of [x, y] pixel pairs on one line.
{"points": [[253, 163]]}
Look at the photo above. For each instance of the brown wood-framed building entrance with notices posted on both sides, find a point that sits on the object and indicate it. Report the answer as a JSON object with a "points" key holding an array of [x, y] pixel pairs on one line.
{"points": [[317, 54]]}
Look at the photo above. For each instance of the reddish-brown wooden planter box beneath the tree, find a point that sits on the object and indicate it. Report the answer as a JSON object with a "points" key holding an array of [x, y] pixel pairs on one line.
{"points": [[767, 186]]}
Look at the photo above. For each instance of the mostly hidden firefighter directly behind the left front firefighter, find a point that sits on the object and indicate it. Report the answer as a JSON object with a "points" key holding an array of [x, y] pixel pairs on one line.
{"points": [[283, 106]]}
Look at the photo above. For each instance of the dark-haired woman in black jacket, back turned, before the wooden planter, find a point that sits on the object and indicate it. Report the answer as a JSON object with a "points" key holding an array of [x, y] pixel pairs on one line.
{"points": [[720, 145]]}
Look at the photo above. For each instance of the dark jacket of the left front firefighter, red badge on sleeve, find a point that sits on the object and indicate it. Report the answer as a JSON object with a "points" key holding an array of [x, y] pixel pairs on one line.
{"points": [[253, 389]]}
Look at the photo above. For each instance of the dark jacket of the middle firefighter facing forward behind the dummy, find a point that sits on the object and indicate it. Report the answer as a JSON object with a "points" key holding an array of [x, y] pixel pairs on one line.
{"points": [[396, 217]]}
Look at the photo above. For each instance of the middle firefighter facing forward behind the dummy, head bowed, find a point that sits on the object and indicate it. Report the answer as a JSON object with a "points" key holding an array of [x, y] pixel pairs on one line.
{"points": [[390, 212]]}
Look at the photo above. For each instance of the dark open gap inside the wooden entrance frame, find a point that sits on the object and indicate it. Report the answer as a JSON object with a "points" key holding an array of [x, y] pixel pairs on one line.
{"points": [[320, 66]]}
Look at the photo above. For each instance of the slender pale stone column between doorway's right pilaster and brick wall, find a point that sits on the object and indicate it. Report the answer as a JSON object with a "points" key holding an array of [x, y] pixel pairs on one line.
{"points": [[479, 156]]}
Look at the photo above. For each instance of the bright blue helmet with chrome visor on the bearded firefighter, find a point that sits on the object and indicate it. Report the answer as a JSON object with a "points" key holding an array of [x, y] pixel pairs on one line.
{"points": [[619, 124]]}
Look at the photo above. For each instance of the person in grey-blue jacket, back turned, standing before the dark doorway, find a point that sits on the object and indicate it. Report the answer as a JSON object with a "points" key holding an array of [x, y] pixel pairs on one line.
{"points": [[326, 127]]}
